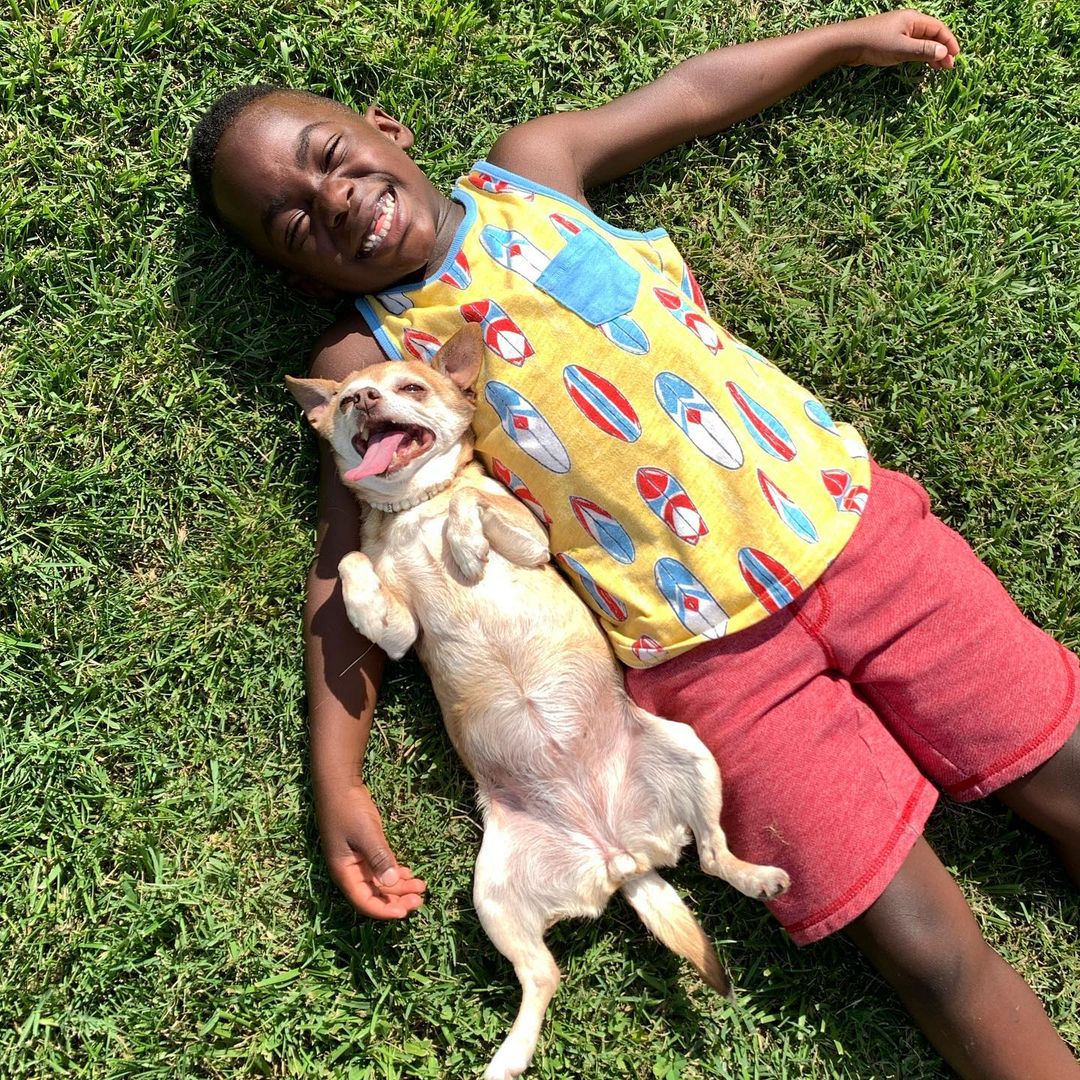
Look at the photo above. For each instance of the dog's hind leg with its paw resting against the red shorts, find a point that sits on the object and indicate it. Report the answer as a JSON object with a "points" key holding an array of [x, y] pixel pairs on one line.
{"points": [[694, 780]]}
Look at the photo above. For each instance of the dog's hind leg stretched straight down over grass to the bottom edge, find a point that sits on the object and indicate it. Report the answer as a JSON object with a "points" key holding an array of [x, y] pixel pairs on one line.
{"points": [[517, 929]]}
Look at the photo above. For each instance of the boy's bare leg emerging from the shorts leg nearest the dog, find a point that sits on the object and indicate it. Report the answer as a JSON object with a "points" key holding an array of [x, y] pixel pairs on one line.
{"points": [[981, 1016]]}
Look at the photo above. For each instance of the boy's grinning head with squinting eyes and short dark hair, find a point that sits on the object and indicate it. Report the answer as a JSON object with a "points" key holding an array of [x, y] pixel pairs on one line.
{"points": [[327, 194]]}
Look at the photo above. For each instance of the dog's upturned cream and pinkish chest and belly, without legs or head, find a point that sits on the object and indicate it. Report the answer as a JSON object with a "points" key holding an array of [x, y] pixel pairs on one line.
{"points": [[531, 694]]}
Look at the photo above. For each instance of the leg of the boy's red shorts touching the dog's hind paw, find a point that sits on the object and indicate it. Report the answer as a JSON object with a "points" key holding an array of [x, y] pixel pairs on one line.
{"points": [[813, 781]]}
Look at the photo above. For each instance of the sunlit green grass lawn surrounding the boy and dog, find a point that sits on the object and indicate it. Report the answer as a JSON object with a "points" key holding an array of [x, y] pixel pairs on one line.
{"points": [[906, 245]]}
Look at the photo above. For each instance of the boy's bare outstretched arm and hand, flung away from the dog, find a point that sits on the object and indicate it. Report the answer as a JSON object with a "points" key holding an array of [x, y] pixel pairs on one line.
{"points": [[574, 152]]}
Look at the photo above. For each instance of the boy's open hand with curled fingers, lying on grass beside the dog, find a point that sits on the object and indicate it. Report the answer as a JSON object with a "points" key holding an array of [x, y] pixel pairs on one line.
{"points": [[361, 861]]}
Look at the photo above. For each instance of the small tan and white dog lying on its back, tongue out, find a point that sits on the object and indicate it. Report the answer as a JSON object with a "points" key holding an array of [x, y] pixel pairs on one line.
{"points": [[583, 793]]}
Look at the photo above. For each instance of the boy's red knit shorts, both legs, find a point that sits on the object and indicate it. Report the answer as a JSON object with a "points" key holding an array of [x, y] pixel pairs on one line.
{"points": [[908, 660]]}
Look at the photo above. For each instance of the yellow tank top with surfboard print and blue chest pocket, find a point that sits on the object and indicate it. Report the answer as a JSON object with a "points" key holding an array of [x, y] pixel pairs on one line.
{"points": [[690, 489]]}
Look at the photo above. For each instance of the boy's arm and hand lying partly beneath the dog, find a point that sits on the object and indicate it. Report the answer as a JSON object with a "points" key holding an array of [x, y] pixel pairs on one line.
{"points": [[344, 674]]}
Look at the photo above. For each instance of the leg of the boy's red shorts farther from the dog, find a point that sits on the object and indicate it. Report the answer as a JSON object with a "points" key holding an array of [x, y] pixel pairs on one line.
{"points": [[976, 693]]}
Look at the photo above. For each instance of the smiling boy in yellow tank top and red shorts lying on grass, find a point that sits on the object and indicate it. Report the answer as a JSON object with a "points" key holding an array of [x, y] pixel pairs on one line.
{"points": [[787, 650]]}
